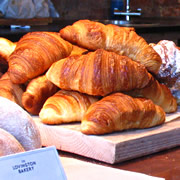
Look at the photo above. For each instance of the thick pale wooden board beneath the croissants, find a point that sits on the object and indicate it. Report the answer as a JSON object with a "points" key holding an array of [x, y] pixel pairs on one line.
{"points": [[115, 147]]}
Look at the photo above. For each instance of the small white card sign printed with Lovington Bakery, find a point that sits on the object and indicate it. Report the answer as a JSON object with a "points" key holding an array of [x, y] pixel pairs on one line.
{"points": [[43, 163]]}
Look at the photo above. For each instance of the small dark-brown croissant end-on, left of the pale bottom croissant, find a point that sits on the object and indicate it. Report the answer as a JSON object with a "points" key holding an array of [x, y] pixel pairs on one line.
{"points": [[37, 92]]}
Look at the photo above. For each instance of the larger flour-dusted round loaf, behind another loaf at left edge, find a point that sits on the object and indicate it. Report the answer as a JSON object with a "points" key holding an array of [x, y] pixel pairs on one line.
{"points": [[20, 124]]}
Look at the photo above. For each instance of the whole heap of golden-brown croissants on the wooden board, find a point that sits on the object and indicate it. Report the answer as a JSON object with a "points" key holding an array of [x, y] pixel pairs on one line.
{"points": [[103, 76]]}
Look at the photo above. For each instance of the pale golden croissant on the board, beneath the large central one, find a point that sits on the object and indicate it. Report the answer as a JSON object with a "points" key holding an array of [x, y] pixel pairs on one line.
{"points": [[65, 107]]}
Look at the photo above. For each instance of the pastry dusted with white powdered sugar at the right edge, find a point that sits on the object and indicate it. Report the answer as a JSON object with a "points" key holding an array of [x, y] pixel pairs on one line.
{"points": [[169, 73]]}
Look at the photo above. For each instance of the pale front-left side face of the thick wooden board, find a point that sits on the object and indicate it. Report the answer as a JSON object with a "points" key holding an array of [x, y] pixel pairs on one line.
{"points": [[82, 144]]}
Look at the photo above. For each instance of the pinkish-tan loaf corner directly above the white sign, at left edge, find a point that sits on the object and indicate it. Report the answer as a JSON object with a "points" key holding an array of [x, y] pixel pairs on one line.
{"points": [[9, 144]]}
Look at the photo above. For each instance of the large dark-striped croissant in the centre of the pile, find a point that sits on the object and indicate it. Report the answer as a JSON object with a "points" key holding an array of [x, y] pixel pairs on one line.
{"points": [[98, 73]]}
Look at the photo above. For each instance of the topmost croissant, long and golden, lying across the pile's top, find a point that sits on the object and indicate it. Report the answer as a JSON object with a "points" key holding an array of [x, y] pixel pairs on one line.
{"points": [[122, 40]]}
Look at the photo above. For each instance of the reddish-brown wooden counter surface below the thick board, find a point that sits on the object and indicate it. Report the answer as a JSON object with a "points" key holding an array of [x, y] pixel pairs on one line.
{"points": [[165, 164]]}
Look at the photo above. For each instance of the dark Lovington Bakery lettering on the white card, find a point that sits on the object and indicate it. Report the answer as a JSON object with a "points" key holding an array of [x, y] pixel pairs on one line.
{"points": [[24, 166]]}
